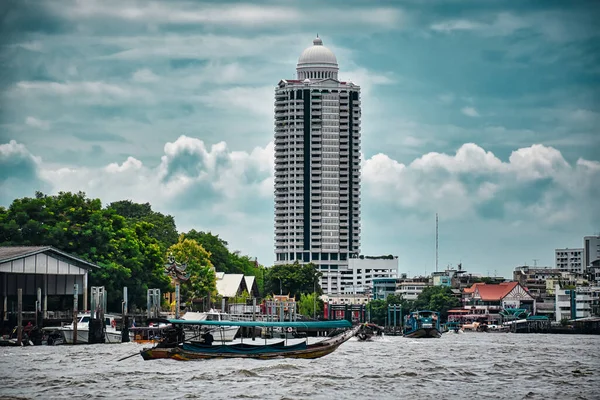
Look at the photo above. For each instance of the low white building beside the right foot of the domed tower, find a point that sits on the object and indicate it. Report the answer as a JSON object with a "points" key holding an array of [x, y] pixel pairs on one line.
{"points": [[362, 271]]}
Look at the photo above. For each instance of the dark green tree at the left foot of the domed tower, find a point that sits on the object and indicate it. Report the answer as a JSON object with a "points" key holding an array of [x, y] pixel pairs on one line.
{"points": [[293, 279]]}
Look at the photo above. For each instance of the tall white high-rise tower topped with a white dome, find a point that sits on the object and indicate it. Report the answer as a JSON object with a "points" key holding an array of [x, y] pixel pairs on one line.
{"points": [[317, 168]]}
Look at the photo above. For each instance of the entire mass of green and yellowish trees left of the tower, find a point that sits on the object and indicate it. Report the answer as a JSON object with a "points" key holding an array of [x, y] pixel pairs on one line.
{"points": [[128, 241]]}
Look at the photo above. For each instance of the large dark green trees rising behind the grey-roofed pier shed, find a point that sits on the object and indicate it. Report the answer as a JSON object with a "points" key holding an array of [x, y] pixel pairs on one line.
{"points": [[71, 222]]}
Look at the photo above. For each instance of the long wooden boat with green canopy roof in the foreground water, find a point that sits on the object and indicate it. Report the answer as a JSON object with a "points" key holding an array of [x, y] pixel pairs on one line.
{"points": [[185, 351]]}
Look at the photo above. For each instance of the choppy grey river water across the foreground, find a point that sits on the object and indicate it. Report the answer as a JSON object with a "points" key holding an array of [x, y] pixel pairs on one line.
{"points": [[456, 366]]}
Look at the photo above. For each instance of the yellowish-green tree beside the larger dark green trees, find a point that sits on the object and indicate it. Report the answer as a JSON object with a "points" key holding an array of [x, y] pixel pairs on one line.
{"points": [[202, 278]]}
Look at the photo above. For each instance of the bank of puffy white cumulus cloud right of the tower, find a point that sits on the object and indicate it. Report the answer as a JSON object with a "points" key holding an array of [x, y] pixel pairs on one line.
{"points": [[536, 184]]}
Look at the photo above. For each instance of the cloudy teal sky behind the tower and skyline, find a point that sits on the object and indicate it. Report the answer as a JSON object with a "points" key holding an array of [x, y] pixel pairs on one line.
{"points": [[485, 112]]}
